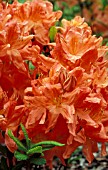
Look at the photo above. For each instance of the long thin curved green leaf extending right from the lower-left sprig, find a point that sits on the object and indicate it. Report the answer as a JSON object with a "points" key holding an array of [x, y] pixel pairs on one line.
{"points": [[53, 143]]}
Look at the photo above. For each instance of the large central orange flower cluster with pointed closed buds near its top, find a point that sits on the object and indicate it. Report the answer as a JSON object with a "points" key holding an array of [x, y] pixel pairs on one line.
{"points": [[64, 93]]}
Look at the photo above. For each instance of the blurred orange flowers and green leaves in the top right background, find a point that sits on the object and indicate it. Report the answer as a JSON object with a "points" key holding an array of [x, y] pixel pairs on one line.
{"points": [[94, 12]]}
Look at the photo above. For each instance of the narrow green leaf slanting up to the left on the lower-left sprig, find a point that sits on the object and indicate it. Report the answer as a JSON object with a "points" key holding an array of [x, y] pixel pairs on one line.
{"points": [[17, 141]]}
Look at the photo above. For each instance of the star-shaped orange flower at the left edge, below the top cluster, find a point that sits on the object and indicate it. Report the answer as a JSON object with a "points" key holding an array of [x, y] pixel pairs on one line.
{"points": [[11, 44]]}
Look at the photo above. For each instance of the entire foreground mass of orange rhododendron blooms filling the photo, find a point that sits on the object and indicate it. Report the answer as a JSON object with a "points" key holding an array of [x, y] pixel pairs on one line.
{"points": [[59, 89]]}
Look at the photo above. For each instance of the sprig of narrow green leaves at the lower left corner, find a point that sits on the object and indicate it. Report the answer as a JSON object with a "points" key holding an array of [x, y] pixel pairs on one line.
{"points": [[26, 155]]}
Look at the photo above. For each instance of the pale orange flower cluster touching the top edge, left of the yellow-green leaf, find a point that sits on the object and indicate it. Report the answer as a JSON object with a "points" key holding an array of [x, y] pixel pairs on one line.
{"points": [[36, 18]]}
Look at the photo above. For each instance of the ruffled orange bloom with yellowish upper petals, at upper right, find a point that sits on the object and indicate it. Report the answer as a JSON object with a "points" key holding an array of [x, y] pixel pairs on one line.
{"points": [[75, 45]]}
